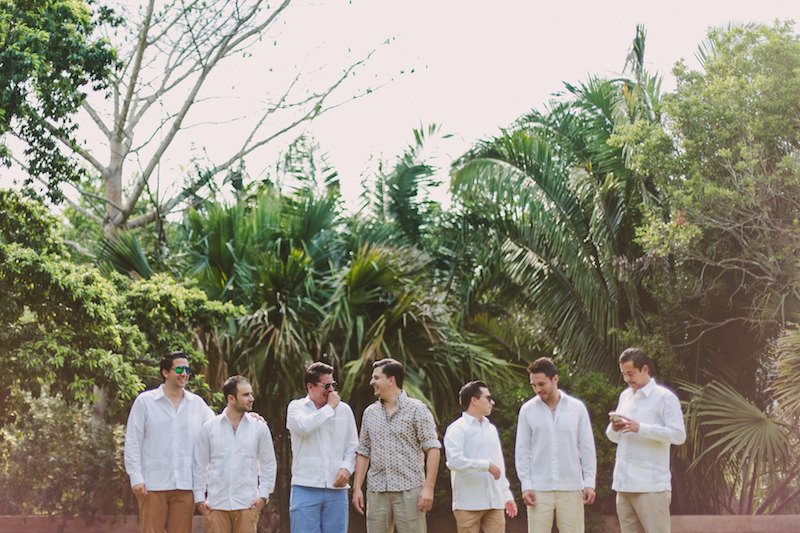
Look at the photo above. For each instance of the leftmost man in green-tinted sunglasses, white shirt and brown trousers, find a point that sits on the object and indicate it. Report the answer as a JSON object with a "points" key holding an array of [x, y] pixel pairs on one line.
{"points": [[162, 427]]}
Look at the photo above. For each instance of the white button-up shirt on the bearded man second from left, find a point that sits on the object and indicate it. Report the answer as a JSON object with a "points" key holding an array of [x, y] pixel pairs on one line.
{"points": [[234, 469]]}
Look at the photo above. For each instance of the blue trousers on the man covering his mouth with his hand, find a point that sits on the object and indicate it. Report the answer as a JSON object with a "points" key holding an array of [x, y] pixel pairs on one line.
{"points": [[313, 510]]}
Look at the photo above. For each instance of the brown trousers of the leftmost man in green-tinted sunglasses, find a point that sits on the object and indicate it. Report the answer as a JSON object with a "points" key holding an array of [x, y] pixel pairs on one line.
{"points": [[169, 510]]}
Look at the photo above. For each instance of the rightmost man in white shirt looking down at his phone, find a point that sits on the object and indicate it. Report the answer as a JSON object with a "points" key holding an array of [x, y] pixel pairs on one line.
{"points": [[647, 420]]}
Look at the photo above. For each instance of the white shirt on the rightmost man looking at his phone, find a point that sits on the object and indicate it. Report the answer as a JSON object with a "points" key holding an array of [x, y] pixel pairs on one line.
{"points": [[642, 463]]}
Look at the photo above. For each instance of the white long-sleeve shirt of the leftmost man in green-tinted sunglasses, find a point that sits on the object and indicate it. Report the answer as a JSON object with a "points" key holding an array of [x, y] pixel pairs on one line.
{"points": [[159, 439]]}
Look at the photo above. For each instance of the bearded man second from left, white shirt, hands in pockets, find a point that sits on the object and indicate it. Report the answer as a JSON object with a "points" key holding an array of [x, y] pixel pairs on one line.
{"points": [[234, 464]]}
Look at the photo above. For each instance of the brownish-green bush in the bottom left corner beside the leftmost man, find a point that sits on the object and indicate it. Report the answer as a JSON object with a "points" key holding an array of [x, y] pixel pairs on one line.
{"points": [[57, 459]]}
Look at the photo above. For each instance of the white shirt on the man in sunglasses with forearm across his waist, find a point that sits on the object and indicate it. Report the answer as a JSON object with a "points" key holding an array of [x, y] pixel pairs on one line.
{"points": [[471, 446]]}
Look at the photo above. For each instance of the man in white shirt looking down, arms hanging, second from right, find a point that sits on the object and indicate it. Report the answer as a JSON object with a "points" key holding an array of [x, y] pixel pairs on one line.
{"points": [[555, 454]]}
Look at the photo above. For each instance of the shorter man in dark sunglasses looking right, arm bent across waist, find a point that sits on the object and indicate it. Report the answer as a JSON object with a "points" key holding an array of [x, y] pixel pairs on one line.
{"points": [[477, 469]]}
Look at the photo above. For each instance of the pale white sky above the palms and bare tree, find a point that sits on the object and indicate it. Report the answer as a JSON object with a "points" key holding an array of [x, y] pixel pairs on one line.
{"points": [[470, 66]]}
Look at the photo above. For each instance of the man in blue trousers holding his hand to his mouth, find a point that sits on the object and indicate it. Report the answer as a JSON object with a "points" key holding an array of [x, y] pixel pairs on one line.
{"points": [[324, 442]]}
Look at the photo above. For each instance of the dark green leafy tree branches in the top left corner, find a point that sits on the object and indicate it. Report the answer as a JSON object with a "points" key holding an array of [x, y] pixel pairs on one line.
{"points": [[47, 55]]}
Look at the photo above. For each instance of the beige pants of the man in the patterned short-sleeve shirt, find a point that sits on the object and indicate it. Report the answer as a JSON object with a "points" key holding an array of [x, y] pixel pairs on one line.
{"points": [[387, 510]]}
